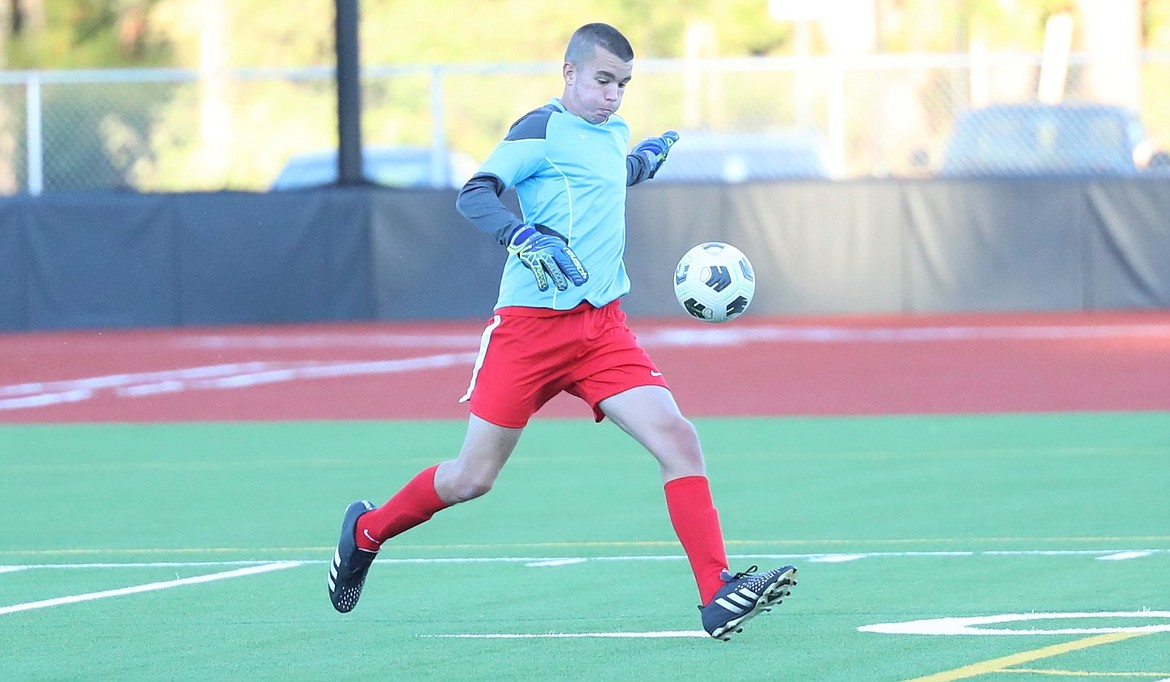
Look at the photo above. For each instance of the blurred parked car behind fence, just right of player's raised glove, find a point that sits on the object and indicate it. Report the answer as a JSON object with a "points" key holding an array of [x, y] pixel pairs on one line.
{"points": [[741, 157]]}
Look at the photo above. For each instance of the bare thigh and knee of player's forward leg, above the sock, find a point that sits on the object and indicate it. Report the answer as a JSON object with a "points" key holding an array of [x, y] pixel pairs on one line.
{"points": [[652, 417]]}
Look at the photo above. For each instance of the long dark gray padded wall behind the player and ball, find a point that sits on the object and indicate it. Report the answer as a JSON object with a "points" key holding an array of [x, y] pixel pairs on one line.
{"points": [[94, 260]]}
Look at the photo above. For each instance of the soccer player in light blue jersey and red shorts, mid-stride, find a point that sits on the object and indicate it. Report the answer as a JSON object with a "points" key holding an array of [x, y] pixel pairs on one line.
{"points": [[569, 166]]}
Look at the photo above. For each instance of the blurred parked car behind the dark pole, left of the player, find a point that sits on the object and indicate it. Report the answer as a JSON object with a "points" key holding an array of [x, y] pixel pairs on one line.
{"points": [[395, 167]]}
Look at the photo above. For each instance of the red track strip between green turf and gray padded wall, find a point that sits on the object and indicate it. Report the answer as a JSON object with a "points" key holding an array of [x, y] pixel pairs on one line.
{"points": [[754, 367]]}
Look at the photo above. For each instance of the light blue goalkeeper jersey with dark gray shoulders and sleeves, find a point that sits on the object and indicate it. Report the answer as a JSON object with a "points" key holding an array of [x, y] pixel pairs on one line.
{"points": [[570, 177]]}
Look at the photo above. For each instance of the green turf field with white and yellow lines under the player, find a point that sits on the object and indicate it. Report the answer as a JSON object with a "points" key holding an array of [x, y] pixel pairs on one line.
{"points": [[201, 553]]}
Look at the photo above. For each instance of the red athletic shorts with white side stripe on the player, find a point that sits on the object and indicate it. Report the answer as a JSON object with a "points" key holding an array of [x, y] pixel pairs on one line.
{"points": [[529, 355]]}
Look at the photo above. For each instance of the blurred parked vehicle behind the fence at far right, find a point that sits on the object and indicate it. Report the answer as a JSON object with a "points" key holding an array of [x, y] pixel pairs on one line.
{"points": [[1050, 140]]}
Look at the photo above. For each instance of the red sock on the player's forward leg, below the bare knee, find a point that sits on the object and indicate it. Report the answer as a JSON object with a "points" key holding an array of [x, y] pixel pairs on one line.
{"points": [[697, 522]]}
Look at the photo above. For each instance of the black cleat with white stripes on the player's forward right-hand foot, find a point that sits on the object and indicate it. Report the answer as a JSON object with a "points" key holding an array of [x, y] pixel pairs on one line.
{"points": [[742, 597]]}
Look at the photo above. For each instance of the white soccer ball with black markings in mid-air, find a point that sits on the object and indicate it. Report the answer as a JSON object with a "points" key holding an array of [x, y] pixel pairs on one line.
{"points": [[714, 283]]}
